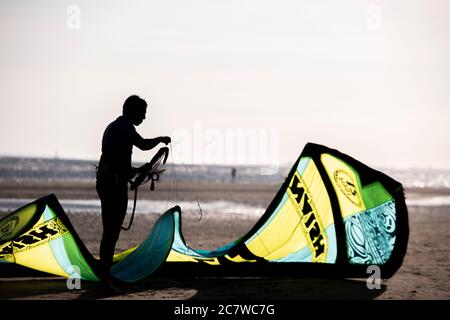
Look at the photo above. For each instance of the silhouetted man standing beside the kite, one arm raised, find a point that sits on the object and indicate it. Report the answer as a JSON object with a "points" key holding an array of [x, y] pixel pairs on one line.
{"points": [[115, 171]]}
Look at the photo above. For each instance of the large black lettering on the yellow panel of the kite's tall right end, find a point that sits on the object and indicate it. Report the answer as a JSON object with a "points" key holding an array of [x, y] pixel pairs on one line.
{"points": [[311, 224]]}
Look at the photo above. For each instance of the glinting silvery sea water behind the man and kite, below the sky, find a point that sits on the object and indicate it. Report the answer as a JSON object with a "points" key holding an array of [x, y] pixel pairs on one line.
{"points": [[53, 170]]}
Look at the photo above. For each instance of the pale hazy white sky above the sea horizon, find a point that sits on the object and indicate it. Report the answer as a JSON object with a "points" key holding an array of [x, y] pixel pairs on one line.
{"points": [[369, 78]]}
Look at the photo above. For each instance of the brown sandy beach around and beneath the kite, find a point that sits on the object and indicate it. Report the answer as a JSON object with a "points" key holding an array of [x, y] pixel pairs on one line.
{"points": [[425, 273]]}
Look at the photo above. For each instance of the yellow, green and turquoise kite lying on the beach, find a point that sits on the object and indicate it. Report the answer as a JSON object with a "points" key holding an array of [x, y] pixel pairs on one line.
{"points": [[333, 216]]}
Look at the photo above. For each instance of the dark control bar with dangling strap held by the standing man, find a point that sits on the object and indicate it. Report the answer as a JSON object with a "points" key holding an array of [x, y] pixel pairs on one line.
{"points": [[148, 172]]}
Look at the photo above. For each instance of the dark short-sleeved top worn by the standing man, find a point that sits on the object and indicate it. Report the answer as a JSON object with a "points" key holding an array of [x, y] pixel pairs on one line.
{"points": [[117, 146]]}
